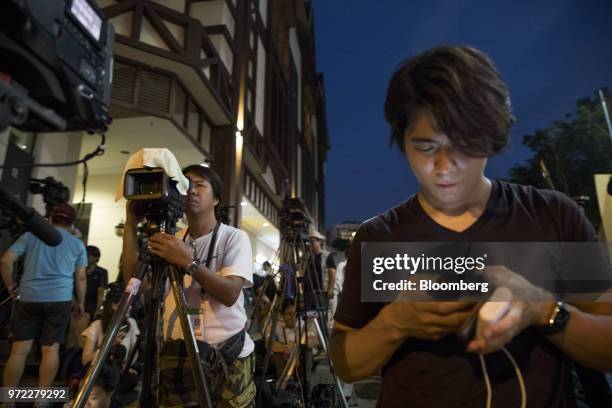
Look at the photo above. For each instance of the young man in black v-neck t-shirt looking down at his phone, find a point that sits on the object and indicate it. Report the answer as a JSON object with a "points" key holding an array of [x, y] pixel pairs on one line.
{"points": [[449, 111]]}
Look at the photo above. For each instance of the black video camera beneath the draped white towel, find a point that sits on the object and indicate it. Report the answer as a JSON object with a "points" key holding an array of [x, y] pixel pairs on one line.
{"points": [[156, 196]]}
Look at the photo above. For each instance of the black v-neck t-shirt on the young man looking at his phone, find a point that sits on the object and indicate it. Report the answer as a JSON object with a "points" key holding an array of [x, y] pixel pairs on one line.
{"points": [[441, 373]]}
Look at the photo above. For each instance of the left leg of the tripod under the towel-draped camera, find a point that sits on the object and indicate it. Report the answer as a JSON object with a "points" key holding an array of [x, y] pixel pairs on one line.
{"points": [[96, 366]]}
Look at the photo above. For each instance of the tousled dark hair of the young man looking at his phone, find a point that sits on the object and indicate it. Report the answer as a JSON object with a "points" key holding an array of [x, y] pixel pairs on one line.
{"points": [[462, 90]]}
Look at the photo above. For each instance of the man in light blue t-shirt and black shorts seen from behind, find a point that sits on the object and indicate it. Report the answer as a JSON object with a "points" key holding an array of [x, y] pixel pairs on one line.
{"points": [[42, 312]]}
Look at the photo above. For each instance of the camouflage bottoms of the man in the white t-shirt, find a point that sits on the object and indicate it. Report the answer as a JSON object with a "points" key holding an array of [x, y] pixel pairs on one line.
{"points": [[238, 392]]}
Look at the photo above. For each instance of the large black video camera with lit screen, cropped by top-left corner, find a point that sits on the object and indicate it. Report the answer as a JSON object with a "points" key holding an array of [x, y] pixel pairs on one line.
{"points": [[55, 65]]}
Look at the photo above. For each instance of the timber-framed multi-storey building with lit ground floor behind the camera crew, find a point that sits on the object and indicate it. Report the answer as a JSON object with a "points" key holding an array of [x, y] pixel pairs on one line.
{"points": [[231, 84]]}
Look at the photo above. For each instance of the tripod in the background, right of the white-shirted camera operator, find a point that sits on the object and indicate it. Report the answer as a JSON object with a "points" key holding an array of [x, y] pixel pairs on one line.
{"points": [[296, 258]]}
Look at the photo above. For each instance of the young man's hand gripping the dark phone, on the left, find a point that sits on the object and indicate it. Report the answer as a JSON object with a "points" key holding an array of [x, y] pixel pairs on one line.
{"points": [[426, 320]]}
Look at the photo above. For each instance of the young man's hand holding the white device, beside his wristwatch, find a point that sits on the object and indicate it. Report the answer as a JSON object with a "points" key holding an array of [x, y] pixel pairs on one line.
{"points": [[533, 308]]}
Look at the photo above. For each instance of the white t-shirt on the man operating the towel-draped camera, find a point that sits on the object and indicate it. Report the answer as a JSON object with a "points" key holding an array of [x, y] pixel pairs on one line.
{"points": [[212, 321]]}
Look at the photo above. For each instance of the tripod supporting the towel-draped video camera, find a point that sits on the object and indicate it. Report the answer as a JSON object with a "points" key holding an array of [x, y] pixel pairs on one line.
{"points": [[150, 383]]}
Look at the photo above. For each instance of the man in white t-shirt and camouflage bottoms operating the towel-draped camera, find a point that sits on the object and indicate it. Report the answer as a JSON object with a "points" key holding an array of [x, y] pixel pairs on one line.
{"points": [[214, 296]]}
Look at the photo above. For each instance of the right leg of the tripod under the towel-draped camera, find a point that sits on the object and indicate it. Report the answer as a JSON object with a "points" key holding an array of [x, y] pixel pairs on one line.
{"points": [[189, 337]]}
